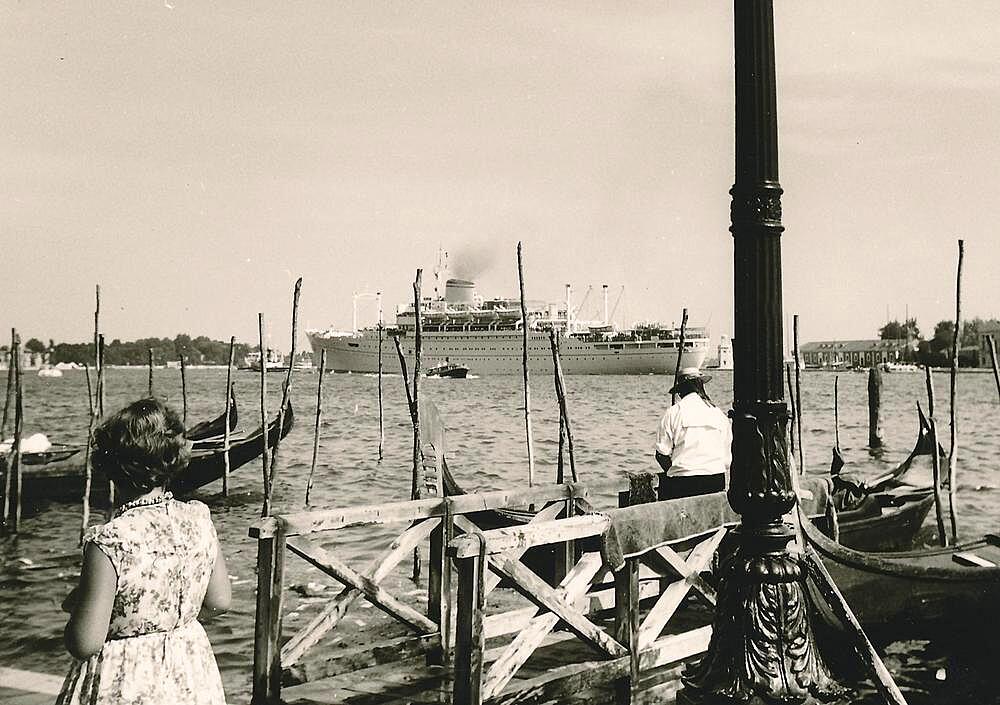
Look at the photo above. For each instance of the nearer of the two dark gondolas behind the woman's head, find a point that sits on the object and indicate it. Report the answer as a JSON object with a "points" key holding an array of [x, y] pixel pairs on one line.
{"points": [[62, 483]]}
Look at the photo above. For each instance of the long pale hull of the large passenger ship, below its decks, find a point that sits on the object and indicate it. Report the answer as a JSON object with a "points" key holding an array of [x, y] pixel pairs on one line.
{"points": [[500, 353]]}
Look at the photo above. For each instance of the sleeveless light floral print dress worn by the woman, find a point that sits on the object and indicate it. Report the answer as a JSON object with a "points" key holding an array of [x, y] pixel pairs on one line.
{"points": [[156, 651]]}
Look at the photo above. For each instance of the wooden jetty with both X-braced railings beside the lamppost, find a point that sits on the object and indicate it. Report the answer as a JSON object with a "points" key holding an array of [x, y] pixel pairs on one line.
{"points": [[565, 626]]}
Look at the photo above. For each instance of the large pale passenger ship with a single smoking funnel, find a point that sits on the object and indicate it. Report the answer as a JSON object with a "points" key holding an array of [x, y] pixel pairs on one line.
{"points": [[485, 335]]}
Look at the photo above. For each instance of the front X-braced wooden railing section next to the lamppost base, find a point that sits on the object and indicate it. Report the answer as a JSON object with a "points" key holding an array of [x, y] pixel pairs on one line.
{"points": [[630, 649]]}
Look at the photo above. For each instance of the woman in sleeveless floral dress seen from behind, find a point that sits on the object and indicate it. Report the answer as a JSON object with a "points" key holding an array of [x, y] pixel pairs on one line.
{"points": [[147, 576]]}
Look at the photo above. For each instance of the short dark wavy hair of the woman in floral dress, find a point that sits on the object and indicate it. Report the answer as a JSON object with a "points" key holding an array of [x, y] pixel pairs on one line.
{"points": [[141, 446]]}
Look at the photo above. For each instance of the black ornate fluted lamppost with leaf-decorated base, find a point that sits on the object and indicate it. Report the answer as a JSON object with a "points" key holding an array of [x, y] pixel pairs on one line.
{"points": [[763, 582]]}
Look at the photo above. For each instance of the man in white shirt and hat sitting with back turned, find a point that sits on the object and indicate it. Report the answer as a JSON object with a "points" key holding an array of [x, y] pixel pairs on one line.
{"points": [[693, 444]]}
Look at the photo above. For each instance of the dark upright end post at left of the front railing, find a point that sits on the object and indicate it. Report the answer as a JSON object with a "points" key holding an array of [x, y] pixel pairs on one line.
{"points": [[469, 639]]}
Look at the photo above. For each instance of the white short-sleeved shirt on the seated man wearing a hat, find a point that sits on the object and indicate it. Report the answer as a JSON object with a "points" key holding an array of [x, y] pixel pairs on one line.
{"points": [[697, 436]]}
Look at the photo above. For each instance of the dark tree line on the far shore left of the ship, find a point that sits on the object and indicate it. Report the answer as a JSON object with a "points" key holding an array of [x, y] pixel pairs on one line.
{"points": [[200, 350]]}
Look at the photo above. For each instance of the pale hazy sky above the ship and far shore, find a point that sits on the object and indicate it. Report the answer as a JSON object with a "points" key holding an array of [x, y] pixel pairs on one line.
{"points": [[195, 158]]}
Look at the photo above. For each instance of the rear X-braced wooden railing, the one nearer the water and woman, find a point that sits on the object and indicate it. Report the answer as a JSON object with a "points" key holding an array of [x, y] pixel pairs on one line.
{"points": [[434, 521]]}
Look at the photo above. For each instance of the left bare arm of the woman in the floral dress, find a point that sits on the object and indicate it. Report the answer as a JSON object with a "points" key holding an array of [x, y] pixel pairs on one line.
{"points": [[90, 614]]}
